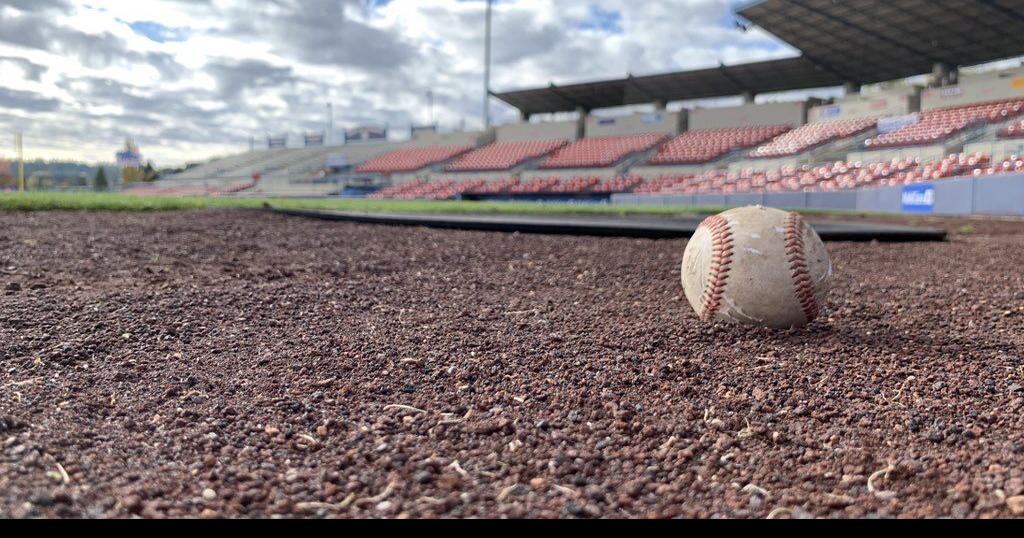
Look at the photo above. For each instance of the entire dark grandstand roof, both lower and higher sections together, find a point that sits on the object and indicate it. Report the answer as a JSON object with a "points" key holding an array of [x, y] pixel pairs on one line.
{"points": [[857, 42]]}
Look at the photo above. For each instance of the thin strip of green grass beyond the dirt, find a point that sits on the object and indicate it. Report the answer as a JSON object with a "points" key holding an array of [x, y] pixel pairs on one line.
{"points": [[118, 202]]}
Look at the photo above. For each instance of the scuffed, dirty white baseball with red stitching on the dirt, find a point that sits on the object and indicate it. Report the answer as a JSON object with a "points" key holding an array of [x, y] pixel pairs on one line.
{"points": [[756, 266]]}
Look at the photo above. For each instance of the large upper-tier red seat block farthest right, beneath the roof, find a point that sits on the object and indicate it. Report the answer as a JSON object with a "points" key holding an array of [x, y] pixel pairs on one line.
{"points": [[940, 125]]}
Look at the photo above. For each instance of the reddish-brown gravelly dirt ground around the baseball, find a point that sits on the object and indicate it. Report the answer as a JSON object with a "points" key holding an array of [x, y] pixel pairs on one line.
{"points": [[231, 363]]}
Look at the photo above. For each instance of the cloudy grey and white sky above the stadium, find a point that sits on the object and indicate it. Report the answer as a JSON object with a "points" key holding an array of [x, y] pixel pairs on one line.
{"points": [[191, 79]]}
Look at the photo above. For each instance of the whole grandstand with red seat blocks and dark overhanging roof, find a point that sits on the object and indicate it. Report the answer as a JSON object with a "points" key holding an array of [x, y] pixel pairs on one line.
{"points": [[956, 123]]}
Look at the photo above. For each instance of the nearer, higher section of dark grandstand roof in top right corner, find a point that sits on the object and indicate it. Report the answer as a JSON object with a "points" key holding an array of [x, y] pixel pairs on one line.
{"points": [[870, 42]]}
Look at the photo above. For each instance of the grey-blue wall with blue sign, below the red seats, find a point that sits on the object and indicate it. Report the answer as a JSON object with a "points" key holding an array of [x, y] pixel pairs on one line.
{"points": [[997, 195]]}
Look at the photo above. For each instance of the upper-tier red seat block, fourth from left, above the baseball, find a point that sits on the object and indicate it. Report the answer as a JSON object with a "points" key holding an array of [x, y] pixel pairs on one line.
{"points": [[707, 145]]}
